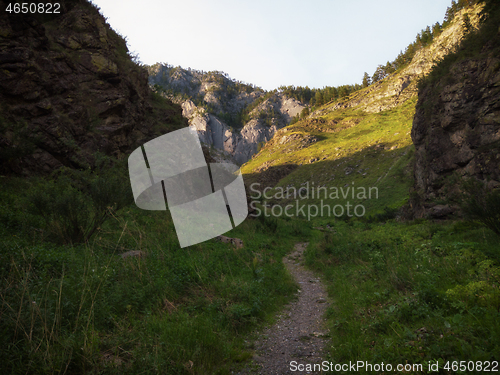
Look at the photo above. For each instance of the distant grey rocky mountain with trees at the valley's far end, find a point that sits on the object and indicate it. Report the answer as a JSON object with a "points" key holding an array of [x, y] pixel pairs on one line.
{"points": [[232, 117]]}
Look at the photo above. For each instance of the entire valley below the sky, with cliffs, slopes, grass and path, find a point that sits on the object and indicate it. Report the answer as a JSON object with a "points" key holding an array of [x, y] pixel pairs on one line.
{"points": [[373, 223]]}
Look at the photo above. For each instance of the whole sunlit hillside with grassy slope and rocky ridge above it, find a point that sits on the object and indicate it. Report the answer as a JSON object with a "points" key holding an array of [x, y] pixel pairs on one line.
{"points": [[360, 141]]}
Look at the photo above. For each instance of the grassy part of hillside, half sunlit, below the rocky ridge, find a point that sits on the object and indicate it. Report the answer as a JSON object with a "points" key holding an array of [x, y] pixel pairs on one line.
{"points": [[353, 149]]}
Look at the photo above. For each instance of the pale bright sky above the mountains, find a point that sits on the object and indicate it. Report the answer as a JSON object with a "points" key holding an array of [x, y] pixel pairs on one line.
{"points": [[271, 43]]}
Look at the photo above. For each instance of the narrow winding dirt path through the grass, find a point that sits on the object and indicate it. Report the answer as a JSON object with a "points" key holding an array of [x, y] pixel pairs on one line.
{"points": [[299, 333]]}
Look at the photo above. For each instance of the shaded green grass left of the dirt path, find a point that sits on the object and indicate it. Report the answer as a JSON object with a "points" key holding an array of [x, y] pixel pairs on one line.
{"points": [[84, 309]]}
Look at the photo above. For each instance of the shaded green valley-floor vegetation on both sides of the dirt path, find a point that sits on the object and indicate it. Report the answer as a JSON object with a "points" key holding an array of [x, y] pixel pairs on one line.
{"points": [[417, 292]]}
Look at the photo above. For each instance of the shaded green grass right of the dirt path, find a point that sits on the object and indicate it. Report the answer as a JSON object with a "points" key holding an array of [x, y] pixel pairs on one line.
{"points": [[411, 293]]}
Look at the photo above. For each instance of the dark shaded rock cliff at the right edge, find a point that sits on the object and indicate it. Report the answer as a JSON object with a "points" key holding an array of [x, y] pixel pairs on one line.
{"points": [[456, 128]]}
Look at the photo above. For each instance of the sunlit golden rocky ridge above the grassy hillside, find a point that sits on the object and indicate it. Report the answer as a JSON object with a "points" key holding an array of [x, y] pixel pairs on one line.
{"points": [[401, 86]]}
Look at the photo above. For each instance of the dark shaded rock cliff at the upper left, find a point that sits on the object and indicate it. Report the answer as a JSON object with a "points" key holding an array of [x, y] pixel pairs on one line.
{"points": [[69, 89]]}
